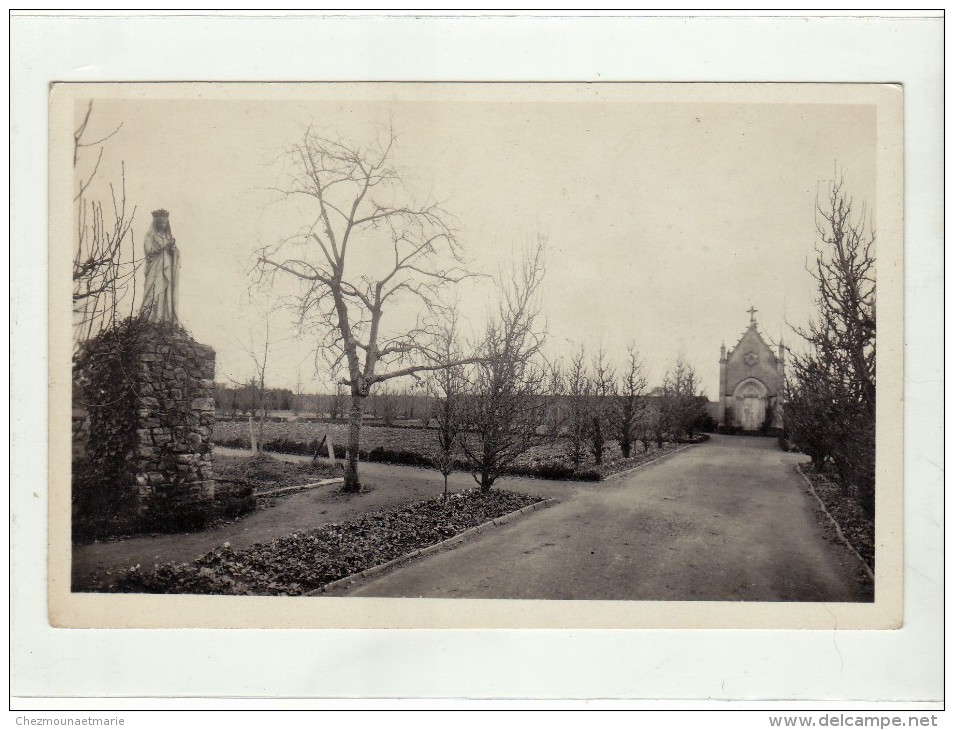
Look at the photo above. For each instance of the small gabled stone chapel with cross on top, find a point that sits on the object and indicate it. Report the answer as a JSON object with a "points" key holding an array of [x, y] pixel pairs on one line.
{"points": [[751, 378]]}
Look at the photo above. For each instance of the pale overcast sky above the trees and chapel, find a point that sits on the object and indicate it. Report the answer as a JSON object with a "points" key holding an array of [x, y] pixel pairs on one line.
{"points": [[665, 220]]}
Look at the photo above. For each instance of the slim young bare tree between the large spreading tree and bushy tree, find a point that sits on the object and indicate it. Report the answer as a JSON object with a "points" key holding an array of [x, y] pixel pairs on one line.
{"points": [[447, 387]]}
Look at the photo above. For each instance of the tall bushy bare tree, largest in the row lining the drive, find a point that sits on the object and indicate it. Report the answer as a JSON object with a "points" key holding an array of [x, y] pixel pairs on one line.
{"points": [[506, 408]]}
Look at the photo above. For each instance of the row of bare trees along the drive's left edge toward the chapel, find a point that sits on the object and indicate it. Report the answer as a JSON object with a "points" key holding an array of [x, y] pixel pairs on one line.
{"points": [[491, 413]]}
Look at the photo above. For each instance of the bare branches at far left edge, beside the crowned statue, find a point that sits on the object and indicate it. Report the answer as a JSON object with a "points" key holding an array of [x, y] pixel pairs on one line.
{"points": [[104, 262]]}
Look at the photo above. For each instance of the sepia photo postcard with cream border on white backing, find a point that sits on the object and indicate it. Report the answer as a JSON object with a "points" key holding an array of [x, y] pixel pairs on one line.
{"points": [[476, 355]]}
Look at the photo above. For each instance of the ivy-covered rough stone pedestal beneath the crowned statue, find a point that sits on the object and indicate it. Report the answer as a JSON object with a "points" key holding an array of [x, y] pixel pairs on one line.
{"points": [[147, 389]]}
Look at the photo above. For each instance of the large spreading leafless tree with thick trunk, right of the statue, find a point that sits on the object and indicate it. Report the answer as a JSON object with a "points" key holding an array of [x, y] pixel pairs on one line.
{"points": [[356, 198]]}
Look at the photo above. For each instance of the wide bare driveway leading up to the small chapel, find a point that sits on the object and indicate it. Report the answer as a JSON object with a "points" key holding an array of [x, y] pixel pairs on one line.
{"points": [[729, 520]]}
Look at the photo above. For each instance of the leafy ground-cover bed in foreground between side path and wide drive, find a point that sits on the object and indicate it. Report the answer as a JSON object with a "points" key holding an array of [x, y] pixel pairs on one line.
{"points": [[303, 561]]}
